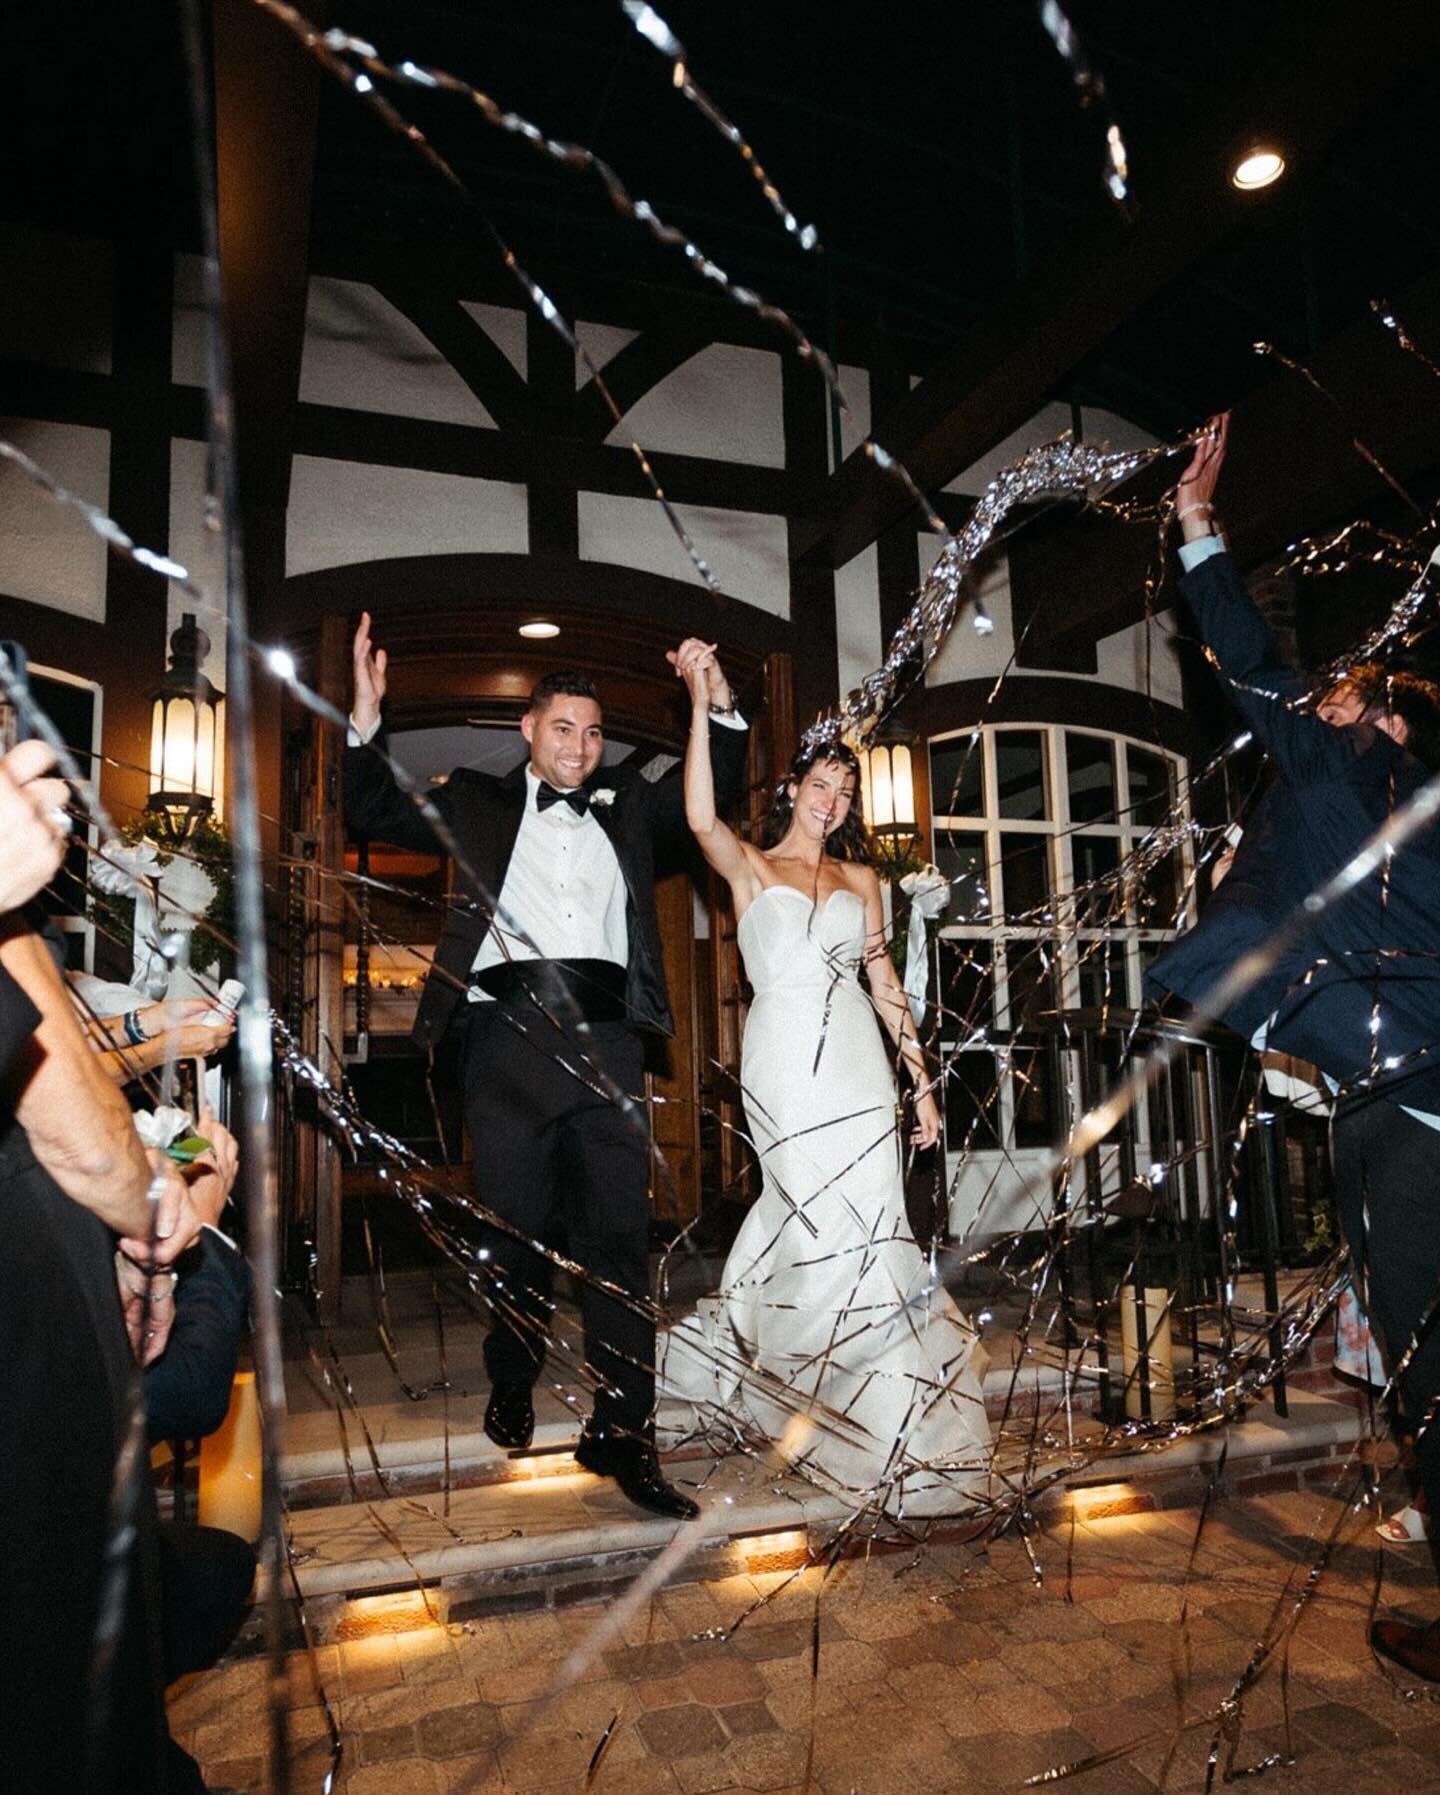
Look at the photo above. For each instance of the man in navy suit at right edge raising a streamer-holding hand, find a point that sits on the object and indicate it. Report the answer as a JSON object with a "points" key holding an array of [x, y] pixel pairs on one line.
{"points": [[1358, 992]]}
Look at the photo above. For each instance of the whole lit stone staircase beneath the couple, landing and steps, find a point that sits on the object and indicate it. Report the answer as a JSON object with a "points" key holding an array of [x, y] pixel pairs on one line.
{"points": [[455, 1523]]}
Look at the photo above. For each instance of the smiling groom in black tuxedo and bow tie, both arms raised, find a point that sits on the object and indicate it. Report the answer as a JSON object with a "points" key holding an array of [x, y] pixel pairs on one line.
{"points": [[554, 992]]}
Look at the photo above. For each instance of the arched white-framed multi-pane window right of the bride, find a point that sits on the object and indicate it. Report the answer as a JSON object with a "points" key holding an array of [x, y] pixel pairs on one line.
{"points": [[1066, 886]]}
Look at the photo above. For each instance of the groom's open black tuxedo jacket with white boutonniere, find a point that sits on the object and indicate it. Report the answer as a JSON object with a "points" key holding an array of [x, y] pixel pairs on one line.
{"points": [[484, 814]]}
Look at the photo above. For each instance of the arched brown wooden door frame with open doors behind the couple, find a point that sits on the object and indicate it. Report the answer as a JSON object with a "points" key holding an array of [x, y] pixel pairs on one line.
{"points": [[452, 667]]}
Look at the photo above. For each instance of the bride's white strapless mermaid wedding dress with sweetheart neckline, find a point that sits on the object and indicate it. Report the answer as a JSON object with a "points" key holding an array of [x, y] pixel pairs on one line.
{"points": [[830, 1335]]}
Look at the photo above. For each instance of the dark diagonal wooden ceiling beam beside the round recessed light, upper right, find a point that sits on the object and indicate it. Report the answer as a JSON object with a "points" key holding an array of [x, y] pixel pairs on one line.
{"points": [[1310, 74]]}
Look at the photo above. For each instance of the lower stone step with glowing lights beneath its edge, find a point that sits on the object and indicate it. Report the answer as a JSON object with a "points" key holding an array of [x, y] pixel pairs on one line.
{"points": [[552, 1534]]}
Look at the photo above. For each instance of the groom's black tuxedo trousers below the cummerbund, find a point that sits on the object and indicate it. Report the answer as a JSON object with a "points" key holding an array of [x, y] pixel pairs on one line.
{"points": [[559, 1160]]}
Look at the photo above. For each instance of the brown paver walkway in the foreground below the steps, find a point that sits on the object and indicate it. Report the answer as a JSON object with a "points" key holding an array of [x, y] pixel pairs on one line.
{"points": [[953, 1674]]}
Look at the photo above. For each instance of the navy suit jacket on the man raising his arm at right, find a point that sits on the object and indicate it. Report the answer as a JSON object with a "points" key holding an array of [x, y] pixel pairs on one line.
{"points": [[1378, 950]]}
